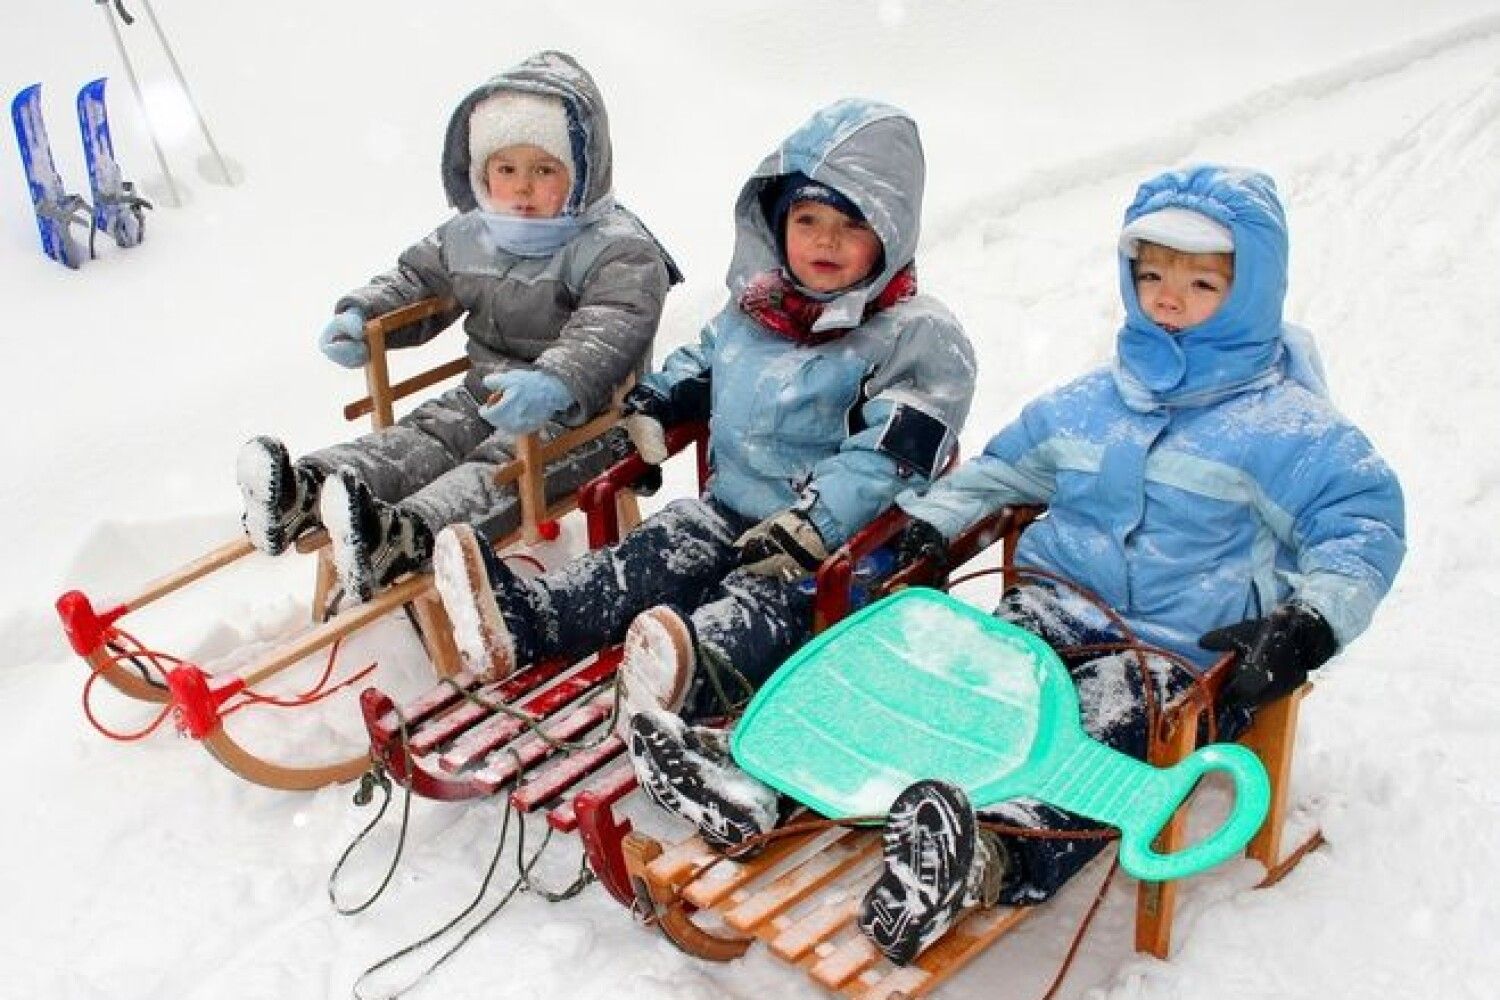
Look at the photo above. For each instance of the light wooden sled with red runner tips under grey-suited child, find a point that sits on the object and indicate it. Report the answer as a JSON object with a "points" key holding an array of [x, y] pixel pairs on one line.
{"points": [[199, 699]]}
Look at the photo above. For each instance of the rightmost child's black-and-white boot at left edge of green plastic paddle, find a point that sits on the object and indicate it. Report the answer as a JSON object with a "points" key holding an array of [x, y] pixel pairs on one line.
{"points": [[689, 773]]}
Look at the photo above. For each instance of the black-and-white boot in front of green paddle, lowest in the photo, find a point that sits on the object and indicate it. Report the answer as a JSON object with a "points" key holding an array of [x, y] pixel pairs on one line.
{"points": [[938, 866]]}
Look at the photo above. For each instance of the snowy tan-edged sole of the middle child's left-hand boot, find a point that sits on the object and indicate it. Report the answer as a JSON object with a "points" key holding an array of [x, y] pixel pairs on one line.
{"points": [[479, 630]]}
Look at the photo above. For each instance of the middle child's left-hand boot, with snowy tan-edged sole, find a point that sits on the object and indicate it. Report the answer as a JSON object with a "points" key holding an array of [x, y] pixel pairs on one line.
{"points": [[484, 602]]}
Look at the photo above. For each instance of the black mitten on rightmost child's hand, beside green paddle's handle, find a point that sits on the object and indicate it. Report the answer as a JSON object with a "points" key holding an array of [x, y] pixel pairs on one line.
{"points": [[1276, 653]]}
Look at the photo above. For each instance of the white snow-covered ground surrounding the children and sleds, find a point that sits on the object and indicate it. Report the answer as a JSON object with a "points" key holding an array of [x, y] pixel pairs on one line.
{"points": [[146, 870]]}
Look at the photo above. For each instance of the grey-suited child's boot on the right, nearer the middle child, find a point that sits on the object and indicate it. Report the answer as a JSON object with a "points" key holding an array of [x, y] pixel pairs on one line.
{"points": [[373, 542]]}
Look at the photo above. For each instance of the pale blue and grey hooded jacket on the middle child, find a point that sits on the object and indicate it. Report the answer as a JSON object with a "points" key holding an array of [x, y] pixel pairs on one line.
{"points": [[842, 427]]}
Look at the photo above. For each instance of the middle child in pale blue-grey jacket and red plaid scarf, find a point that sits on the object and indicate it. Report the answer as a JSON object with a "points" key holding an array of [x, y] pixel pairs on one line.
{"points": [[830, 385]]}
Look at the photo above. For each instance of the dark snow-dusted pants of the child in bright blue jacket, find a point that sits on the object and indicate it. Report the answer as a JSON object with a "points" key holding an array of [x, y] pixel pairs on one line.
{"points": [[1114, 713]]}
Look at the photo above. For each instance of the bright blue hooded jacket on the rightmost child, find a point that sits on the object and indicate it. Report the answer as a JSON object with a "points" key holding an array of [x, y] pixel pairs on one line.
{"points": [[1196, 484]]}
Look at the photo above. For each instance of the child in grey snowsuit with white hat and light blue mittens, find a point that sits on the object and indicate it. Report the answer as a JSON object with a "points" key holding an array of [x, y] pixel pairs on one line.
{"points": [[562, 292]]}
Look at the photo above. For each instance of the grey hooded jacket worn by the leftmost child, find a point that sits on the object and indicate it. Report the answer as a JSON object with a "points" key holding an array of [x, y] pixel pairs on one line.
{"points": [[587, 314]]}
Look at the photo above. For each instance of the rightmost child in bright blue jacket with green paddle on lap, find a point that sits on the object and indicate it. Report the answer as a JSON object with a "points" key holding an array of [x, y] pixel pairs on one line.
{"points": [[1202, 487]]}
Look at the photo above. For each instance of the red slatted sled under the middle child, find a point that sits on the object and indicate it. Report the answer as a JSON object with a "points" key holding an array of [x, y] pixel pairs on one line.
{"points": [[464, 741]]}
